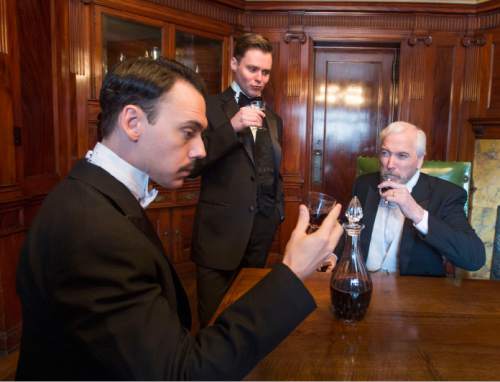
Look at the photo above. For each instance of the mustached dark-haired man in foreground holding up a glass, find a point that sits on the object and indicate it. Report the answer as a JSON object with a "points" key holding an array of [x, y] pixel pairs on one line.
{"points": [[100, 299]]}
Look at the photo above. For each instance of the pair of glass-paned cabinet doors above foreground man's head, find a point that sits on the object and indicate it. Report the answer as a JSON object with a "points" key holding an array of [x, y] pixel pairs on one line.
{"points": [[121, 35]]}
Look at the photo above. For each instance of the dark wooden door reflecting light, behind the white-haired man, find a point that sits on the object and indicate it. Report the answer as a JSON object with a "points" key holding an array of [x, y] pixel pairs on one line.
{"points": [[354, 98]]}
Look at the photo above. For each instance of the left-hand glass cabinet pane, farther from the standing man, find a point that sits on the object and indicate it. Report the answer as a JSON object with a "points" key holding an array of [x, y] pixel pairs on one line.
{"points": [[124, 39]]}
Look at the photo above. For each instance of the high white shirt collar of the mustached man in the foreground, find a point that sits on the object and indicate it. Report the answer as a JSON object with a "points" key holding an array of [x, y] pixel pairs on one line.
{"points": [[133, 178]]}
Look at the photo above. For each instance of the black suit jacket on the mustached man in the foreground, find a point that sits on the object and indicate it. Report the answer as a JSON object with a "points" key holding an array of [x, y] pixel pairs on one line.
{"points": [[101, 301]]}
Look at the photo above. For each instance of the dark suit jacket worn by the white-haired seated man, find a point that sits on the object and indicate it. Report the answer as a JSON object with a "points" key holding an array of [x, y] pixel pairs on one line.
{"points": [[450, 236]]}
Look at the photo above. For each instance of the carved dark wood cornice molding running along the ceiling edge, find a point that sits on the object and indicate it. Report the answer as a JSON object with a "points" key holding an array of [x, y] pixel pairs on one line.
{"points": [[377, 16]]}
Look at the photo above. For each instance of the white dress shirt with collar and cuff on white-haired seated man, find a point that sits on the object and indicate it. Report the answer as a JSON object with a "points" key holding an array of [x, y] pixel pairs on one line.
{"points": [[387, 232]]}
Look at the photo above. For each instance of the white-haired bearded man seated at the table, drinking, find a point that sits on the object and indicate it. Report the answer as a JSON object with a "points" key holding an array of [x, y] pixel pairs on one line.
{"points": [[414, 222]]}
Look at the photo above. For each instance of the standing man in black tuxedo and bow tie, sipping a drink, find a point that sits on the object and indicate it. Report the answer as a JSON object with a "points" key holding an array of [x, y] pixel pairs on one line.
{"points": [[241, 197]]}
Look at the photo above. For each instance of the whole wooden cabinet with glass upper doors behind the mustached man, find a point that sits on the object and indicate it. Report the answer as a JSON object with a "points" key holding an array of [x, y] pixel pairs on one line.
{"points": [[119, 34]]}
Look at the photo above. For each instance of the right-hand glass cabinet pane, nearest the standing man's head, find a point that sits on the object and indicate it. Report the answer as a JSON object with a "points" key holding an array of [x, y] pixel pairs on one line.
{"points": [[203, 55]]}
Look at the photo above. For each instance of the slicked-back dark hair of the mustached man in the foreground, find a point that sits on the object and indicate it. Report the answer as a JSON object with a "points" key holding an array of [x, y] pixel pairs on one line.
{"points": [[141, 82]]}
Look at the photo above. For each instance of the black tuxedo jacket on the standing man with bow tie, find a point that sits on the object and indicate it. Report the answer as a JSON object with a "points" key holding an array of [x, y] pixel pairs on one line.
{"points": [[228, 195]]}
